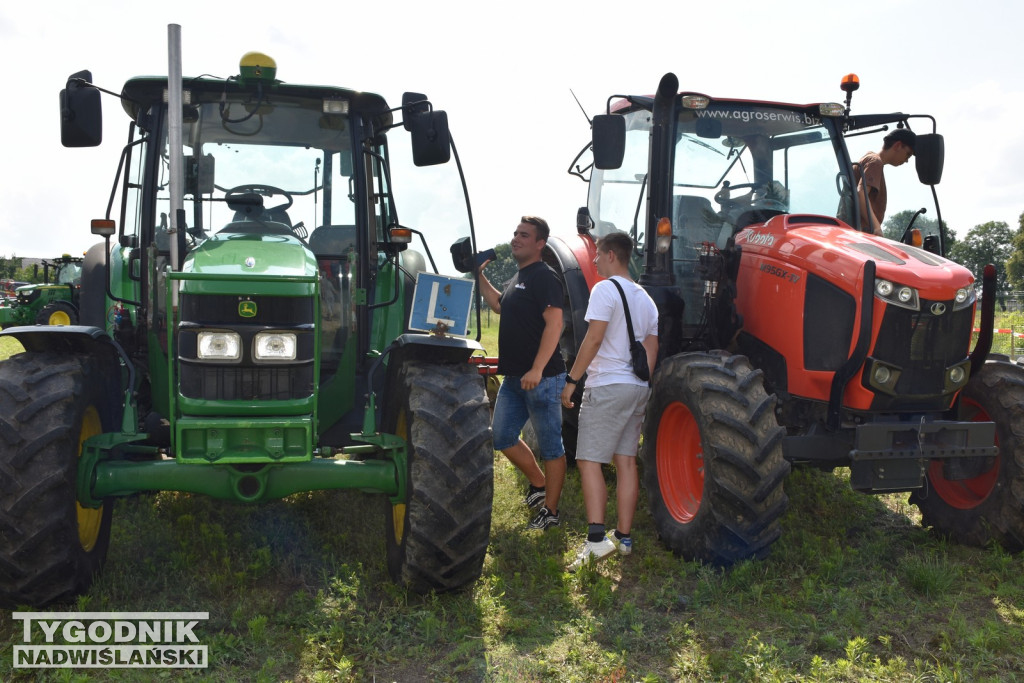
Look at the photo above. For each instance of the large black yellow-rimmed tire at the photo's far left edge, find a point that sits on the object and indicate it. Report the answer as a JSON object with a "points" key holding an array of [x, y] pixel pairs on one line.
{"points": [[51, 547]]}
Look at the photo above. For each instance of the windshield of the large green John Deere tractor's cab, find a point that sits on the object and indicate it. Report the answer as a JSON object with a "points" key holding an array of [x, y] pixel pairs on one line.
{"points": [[290, 157]]}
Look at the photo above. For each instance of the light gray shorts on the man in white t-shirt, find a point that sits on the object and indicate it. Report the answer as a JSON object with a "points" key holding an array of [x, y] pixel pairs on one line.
{"points": [[611, 418]]}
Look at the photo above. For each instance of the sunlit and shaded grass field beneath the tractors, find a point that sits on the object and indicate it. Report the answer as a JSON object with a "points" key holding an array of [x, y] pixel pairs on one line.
{"points": [[297, 590]]}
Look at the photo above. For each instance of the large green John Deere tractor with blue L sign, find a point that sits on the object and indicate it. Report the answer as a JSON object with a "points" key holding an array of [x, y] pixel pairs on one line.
{"points": [[227, 350]]}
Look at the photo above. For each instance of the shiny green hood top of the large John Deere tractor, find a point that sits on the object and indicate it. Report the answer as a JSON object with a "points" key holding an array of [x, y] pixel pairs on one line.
{"points": [[230, 264]]}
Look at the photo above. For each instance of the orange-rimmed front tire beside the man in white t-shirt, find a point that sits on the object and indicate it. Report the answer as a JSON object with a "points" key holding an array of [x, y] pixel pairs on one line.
{"points": [[712, 457]]}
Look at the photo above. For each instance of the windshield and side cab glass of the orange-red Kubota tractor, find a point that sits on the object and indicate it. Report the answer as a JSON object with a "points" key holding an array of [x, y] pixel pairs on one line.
{"points": [[735, 164]]}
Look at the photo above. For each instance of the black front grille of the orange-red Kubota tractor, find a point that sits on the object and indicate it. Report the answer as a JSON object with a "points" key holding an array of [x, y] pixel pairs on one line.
{"points": [[924, 345]]}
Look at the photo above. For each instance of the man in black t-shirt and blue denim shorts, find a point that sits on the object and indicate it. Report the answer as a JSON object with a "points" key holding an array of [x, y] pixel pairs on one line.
{"points": [[534, 371]]}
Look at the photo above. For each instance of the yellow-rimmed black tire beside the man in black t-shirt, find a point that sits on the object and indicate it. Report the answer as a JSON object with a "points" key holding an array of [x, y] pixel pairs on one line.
{"points": [[438, 537]]}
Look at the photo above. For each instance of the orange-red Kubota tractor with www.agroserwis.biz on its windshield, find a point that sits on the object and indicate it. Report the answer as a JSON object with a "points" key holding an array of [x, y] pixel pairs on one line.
{"points": [[788, 335]]}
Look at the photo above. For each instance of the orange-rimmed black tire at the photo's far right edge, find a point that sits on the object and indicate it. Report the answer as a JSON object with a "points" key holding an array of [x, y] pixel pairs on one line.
{"points": [[989, 506]]}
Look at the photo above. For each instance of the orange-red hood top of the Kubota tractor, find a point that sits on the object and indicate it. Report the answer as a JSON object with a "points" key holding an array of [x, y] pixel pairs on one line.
{"points": [[833, 250]]}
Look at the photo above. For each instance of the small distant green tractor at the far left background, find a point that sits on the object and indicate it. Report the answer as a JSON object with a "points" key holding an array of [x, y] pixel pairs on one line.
{"points": [[56, 302]]}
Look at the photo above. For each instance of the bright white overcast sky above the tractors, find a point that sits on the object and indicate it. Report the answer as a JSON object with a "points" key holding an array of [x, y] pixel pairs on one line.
{"points": [[504, 73]]}
